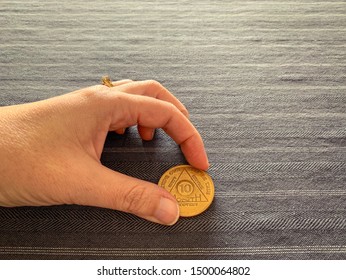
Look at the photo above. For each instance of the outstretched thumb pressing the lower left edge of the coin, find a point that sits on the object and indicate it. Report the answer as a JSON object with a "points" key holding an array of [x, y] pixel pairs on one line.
{"points": [[110, 189]]}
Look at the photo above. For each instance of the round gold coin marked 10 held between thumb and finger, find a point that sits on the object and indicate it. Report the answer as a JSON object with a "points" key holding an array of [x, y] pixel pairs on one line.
{"points": [[192, 188]]}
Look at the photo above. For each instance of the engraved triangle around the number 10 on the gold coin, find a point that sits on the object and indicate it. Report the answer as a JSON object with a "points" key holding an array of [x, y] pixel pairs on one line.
{"points": [[186, 189]]}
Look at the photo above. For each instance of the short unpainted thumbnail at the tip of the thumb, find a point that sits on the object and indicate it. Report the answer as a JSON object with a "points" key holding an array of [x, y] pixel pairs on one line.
{"points": [[168, 211]]}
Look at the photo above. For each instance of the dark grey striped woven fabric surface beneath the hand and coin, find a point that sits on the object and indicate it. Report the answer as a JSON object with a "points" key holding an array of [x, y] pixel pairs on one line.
{"points": [[265, 84]]}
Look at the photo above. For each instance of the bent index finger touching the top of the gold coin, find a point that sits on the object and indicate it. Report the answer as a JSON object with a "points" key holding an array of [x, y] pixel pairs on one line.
{"points": [[154, 113]]}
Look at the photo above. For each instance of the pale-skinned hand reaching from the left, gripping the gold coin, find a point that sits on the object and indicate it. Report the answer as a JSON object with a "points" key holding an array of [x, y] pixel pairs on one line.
{"points": [[50, 150]]}
